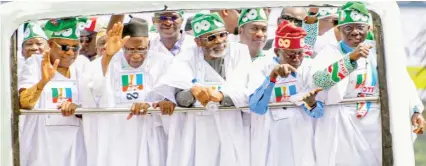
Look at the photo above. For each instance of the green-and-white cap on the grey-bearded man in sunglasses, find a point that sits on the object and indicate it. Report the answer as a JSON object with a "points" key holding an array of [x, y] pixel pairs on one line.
{"points": [[203, 23]]}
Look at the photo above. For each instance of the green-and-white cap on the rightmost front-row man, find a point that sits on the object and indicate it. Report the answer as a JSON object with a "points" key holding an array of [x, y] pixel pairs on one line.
{"points": [[353, 12]]}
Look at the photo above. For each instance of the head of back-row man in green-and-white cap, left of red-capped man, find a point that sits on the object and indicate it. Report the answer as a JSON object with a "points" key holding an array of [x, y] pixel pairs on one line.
{"points": [[253, 24]]}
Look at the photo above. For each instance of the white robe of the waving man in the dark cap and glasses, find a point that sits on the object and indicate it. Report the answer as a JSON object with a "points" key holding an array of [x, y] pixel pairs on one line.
{"points": [[111, 139]]}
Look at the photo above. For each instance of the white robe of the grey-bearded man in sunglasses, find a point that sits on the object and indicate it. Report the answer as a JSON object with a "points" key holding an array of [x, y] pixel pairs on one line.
{"points": [[208, 139]]}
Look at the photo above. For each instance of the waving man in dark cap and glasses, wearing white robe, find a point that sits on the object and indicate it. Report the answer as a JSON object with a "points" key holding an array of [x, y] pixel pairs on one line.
{"points": [[125, 79]]}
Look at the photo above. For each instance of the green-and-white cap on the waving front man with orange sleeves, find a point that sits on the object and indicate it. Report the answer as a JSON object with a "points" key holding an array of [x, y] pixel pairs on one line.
{"points": [[68, 28]]}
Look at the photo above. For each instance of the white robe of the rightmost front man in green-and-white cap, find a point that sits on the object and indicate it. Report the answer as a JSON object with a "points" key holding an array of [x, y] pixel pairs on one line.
{"points": [[341, 138]]}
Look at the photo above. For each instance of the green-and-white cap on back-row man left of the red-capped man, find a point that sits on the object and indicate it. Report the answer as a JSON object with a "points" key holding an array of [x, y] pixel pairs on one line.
{"points": [[252, 15]]}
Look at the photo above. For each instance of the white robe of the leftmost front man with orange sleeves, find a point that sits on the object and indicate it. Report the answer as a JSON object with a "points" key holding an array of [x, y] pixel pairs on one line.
{"points": [[52, 140]]}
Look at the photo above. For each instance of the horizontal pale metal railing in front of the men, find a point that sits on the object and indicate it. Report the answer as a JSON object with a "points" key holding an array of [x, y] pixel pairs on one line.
{"points": [[180, 109]]}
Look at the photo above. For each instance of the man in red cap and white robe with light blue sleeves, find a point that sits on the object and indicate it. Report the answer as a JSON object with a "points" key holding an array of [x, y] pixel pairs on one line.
{"points": [[283, 136]]}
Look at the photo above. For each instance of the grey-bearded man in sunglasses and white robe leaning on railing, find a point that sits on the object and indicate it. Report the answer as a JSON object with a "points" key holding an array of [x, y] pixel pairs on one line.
{"points": [[211, 73]]}
